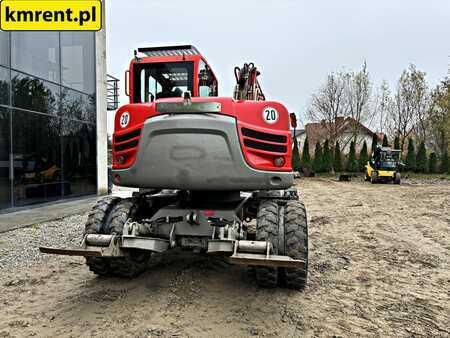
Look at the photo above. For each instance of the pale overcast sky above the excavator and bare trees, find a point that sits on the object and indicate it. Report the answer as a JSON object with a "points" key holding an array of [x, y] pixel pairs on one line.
{"points": [[294, 43]]}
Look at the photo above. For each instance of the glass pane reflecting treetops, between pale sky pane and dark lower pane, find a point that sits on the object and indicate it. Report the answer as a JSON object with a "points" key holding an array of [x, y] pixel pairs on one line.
{"points": [[34, 94]]}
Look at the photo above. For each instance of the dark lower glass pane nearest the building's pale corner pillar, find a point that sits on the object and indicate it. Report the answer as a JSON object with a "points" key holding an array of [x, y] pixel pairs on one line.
{"points": [[79, 158]]}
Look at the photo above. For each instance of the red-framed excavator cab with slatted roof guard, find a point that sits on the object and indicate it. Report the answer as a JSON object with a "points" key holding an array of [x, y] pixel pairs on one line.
{"points": [[168, 72]]}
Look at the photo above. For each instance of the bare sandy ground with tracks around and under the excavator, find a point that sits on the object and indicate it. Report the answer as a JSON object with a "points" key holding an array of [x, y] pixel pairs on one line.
{"points": [[379, 266]]}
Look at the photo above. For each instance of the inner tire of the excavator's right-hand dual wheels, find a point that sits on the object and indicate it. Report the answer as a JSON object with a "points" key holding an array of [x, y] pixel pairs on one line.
{"points": [[267, 230]]}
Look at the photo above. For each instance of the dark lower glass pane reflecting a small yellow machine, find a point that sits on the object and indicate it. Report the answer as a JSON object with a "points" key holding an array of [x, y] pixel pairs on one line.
{"points": [[37, 158]]}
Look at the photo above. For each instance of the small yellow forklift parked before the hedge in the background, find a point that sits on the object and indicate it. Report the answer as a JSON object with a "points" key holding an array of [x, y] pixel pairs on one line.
{"points": [[384, 166]]}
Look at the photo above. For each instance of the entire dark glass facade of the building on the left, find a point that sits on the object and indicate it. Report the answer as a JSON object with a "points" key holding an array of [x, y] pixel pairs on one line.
{"points": [[47, 117]]}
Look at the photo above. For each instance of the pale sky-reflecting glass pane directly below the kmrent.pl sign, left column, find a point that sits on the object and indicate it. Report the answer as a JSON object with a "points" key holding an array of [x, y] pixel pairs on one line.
{"points": [[36, 53]]}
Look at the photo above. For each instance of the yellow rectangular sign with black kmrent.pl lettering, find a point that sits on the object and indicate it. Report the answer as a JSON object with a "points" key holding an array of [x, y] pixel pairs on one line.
{"points": [[75, 15]]}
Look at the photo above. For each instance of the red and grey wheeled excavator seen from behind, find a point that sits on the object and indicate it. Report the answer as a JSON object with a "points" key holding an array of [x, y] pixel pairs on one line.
{"points": [[207, 167]]}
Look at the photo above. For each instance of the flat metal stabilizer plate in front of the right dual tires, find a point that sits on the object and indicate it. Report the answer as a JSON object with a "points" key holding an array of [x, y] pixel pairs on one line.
{"points": [[264, 260]]}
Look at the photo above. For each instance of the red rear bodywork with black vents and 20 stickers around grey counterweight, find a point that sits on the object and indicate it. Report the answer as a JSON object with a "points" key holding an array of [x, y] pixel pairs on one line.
{"points": [[263, 128]]}
